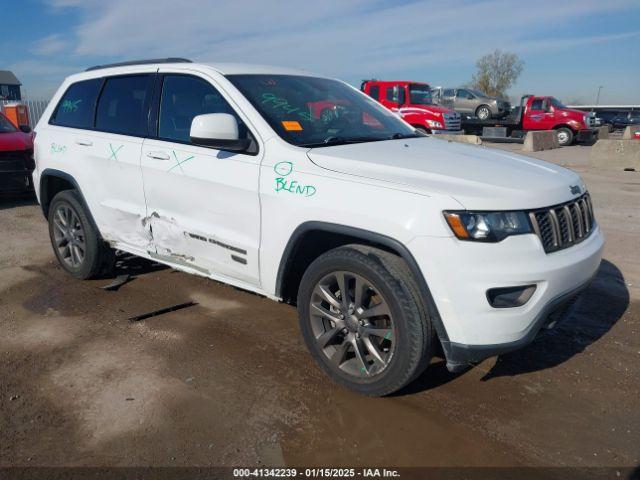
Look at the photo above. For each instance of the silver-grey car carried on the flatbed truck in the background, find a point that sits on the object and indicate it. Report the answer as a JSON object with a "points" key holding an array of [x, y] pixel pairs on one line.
{"points": [[471, 102]]}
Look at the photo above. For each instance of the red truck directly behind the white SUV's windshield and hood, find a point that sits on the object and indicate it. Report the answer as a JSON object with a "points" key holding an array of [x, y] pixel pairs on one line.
{"points": [[413, 102]]}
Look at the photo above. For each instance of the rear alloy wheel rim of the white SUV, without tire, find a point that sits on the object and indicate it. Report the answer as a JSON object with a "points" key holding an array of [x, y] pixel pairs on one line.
{"points": [[69, 236]]}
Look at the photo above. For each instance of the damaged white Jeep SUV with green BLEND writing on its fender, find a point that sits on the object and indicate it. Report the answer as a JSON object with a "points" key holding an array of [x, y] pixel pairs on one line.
{"points": [[303, 189]]}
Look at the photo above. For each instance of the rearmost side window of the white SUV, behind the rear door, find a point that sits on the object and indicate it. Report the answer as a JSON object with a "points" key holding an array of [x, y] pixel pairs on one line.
{"points": [[76, 107]]}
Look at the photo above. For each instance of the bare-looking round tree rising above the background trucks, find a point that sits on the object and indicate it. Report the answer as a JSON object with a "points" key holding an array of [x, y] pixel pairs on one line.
{"points": [[497, 72]]}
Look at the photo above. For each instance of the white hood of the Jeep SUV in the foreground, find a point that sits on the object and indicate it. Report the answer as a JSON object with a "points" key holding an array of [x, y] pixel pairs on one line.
{"points": [[479, 178]]}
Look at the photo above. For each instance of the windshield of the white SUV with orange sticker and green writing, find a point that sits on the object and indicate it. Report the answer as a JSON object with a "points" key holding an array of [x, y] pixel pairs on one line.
{"points": [[316, 112]]}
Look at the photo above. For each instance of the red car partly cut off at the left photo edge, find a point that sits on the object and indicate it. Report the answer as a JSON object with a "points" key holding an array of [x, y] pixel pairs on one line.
{"points": [[16, 157]]}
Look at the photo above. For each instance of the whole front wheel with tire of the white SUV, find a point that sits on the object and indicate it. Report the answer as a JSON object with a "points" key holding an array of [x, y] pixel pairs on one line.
{"points": [[363, 320]]}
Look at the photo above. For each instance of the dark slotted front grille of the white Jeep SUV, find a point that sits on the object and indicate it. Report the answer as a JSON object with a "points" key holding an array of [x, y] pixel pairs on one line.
{"points": [[562, 226]]}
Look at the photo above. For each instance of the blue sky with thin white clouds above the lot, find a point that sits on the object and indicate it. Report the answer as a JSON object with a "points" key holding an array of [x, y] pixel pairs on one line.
{"points": [[569, 47]]}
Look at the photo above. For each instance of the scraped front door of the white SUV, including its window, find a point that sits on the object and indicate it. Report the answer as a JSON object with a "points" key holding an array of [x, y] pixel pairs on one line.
{"points": [[202, 204]]}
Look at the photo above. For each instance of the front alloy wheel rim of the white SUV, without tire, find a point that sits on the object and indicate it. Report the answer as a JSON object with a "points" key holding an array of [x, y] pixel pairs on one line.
{"points": [[352, 324]]}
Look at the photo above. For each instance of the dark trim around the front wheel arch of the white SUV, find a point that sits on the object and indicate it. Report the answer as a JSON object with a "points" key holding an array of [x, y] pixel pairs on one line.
{"points": [[374, 238]]}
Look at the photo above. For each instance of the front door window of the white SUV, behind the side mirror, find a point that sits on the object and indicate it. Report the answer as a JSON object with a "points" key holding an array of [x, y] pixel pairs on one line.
{"points": [[183, 98]]}
